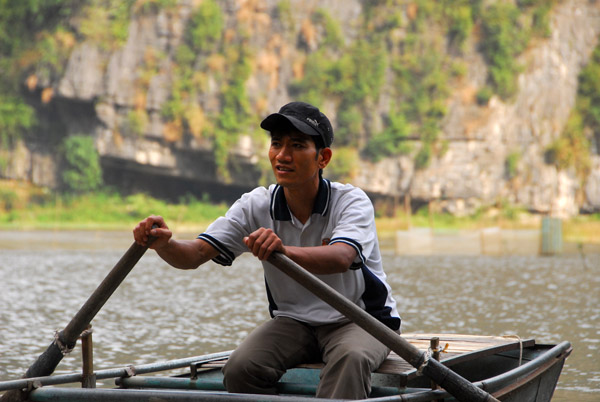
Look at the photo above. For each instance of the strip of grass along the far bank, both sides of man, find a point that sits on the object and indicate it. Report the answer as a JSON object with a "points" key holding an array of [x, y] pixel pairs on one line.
{"points": [[24, 207]]}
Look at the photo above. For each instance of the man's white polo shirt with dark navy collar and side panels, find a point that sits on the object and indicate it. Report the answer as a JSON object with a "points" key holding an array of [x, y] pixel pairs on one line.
{"points": [[342, 213]]}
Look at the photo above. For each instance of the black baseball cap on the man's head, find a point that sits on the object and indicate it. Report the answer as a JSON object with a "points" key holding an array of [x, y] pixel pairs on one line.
{"points": [[305, 117]]}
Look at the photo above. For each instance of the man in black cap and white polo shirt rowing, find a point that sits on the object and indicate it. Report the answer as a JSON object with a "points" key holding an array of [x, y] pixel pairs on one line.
{"points": [[328, 229]]}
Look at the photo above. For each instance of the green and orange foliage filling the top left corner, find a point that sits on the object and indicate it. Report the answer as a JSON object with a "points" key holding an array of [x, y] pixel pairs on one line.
{"points": [[36, 40]]}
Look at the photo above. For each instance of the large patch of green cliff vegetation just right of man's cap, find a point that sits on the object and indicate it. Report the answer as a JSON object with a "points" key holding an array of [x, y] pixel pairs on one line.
{"points": [[419, 63]]}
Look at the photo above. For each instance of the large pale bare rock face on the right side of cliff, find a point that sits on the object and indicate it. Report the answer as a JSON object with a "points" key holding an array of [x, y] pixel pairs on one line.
{"points": [[472, 172]]}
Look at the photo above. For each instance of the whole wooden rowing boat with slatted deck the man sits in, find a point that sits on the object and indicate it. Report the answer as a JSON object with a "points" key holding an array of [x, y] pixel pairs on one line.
{"points": [[509, 368]]}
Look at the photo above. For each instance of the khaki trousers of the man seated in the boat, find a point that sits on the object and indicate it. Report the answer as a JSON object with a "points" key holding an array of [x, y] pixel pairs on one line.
{"points": [[350, 355]]}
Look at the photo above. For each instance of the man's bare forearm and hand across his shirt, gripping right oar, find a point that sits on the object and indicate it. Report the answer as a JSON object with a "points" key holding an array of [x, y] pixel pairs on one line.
{"points": [[331, 259]]}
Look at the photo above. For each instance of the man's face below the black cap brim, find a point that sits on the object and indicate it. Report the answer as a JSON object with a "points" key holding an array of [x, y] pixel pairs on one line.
{"points": [[294, 159]]}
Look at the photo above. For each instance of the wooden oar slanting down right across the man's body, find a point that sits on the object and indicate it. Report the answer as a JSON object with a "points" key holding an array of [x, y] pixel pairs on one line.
{"points": [[456, 385]]}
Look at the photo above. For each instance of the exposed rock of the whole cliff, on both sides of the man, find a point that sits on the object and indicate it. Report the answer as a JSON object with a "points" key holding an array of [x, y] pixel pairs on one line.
{"points": [[105, 86]]}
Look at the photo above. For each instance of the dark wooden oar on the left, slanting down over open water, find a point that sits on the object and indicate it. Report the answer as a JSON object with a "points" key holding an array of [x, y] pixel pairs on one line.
{"points": [[66, 339]]}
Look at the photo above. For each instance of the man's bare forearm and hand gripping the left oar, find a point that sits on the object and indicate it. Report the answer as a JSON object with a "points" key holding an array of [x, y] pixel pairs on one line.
{"points": [[182, 254]]}
